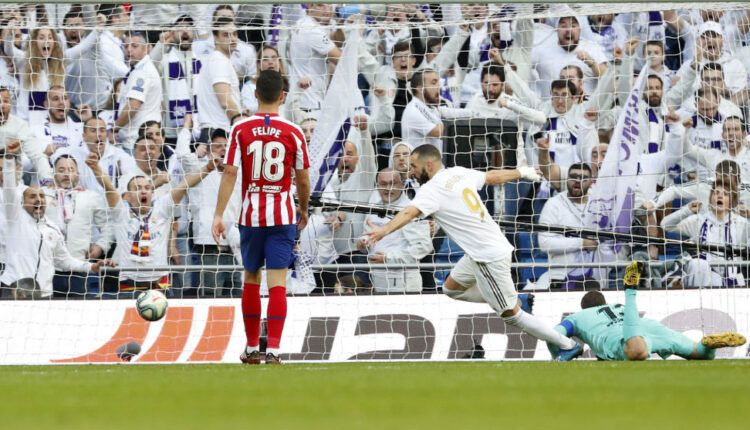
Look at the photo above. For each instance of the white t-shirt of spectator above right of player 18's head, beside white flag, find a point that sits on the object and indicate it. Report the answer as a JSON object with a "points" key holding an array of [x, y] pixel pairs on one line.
{"points": [[308, 51]]}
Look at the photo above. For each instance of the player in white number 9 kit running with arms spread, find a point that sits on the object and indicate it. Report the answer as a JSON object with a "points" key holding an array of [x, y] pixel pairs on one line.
{"points": [[483, 274]]}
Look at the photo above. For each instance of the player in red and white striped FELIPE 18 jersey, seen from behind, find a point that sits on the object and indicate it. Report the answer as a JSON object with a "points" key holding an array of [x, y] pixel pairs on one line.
{"points": [[271, 152]]}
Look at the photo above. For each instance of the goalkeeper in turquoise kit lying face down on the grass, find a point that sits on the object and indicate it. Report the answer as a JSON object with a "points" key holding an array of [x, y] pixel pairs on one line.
{"points": [[617, 332]]}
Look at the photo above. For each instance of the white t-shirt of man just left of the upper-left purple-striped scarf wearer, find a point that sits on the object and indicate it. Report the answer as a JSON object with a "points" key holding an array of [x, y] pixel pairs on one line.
{"points": [[143, 83]]}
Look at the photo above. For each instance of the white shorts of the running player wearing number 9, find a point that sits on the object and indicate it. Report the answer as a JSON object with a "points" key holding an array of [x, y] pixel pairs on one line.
{"points": [[492, 279]]}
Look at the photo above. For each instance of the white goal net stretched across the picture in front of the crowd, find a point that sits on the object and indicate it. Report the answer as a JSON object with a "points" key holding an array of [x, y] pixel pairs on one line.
{"points": [[115, 121]]}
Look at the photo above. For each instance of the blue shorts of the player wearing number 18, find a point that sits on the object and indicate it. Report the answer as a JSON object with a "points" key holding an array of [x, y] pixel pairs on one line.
{"points": [[274, 245]]}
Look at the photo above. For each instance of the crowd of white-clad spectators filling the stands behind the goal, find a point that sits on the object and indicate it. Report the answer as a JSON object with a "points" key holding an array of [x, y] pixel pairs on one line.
{"points": [[114, 122]]}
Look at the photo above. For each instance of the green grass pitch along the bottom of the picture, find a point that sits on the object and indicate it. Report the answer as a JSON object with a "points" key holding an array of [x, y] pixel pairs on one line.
{"points": [[457, 395]]}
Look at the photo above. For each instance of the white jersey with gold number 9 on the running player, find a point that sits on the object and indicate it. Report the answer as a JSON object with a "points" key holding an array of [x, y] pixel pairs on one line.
{"points": [[451, 198]]}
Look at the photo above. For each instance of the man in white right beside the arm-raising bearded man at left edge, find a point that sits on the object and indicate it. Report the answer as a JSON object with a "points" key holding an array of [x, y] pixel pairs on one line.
{"points": [[82, 218]]}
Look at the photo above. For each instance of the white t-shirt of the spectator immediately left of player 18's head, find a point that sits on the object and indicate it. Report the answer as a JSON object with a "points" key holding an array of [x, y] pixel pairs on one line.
{"points": [[216, 69]]}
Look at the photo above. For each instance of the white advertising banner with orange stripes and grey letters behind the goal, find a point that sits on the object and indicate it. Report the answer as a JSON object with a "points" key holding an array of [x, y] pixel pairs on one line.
{"points": [[419, 327]]}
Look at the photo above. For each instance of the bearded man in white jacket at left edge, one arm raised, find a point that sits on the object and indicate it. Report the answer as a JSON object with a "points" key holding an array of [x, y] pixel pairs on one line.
{"points": [[38, 246]]}
